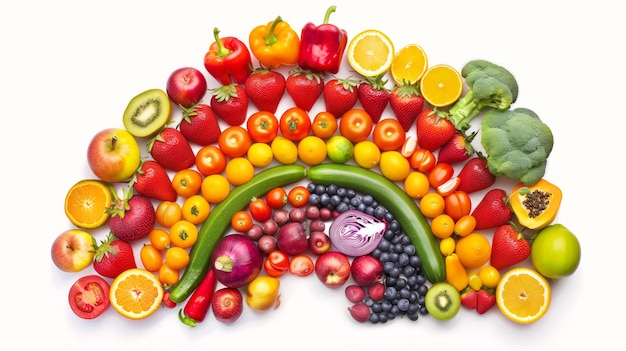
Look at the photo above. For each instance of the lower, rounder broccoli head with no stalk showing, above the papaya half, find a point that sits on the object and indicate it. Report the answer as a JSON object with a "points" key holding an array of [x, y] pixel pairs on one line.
{"points": [[517, 144]]}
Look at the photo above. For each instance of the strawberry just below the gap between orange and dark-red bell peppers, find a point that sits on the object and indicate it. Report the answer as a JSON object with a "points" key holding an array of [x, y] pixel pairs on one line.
{"points": [[304, 87]]}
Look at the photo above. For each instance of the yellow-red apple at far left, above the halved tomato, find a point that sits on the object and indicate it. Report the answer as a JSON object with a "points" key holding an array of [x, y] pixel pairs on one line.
{"points": [[72, 250]]}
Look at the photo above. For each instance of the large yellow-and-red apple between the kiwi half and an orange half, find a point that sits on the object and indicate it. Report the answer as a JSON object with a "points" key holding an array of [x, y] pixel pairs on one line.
{"points": [[114, 155]]}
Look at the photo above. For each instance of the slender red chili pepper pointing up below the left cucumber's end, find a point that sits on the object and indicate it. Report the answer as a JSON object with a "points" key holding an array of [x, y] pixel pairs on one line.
{"points": [[200, 301]]}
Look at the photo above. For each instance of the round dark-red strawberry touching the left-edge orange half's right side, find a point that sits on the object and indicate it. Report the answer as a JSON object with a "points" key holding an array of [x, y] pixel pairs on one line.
{"points": [[132, 217]]}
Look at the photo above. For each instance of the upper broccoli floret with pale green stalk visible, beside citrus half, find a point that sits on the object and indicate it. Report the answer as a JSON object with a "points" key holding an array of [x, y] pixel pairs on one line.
{"points": [[490, 86]]}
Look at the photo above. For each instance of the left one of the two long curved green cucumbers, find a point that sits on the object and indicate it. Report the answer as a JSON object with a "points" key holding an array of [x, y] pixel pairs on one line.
{"points": [[214, 227]]}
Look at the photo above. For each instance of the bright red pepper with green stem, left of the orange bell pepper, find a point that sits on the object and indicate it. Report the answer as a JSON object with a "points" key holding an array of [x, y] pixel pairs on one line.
{"points": [[228, 60]]}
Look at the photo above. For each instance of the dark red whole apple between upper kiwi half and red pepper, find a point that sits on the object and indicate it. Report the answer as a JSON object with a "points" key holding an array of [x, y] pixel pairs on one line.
{"points": [[186, 86]]}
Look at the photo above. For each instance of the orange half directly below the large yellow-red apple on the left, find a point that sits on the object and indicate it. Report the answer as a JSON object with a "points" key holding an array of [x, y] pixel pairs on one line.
{"points": [[86, 203]]}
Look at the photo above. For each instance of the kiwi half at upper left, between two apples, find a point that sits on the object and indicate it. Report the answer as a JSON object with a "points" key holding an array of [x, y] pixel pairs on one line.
{"points": [[147, 113]]}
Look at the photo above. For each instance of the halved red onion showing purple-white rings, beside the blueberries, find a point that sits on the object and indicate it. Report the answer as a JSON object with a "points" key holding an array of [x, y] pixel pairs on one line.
{"points": [[356, 233]]}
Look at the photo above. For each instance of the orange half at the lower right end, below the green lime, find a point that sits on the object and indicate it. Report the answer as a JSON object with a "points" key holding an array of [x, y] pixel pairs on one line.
{"points": [[523, 295]]}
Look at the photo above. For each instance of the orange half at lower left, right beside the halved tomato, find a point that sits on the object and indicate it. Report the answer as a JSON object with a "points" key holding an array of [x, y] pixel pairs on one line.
{"points": [[136, 293]]}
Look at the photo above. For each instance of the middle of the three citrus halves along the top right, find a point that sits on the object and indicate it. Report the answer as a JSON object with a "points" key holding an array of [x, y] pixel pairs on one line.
{"points": [[409, 64]]}
